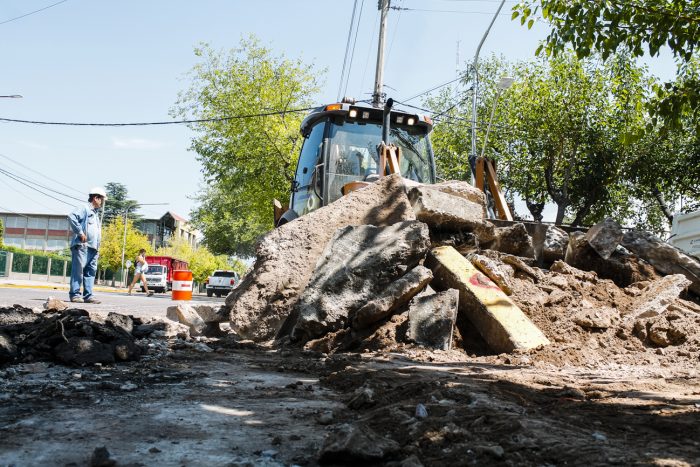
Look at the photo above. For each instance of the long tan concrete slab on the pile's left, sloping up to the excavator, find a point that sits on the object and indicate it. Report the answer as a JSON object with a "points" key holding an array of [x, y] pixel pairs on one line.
{"points": [[286, 257]]}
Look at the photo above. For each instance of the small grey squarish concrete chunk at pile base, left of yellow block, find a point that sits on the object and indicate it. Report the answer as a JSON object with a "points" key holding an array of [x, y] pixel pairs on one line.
{"points": [[431, 319]]}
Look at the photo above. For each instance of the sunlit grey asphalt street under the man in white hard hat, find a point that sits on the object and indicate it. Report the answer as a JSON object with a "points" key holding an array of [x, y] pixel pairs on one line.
{"points": [[137, 305]]}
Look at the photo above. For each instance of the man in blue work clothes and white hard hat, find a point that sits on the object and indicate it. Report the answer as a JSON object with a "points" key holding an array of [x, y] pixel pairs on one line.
{"points": [[85, 224]]}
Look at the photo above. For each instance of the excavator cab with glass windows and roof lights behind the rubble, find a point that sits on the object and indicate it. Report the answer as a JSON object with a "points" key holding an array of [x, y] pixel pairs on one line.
{"points": [[341, 146]]}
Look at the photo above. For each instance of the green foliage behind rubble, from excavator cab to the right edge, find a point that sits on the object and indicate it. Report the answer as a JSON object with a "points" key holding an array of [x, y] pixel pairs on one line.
{"points": [[572, 132]]}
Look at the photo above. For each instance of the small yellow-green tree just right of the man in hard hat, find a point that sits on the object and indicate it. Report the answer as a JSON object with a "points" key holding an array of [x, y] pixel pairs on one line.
{"points": [[113, 241]]}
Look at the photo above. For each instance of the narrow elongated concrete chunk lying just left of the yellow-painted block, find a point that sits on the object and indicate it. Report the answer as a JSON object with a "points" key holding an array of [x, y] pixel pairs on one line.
{"points": [[393, 297]]}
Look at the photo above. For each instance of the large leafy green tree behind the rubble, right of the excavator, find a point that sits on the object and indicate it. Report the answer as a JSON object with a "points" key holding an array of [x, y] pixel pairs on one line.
{"points": [[561, 133]]}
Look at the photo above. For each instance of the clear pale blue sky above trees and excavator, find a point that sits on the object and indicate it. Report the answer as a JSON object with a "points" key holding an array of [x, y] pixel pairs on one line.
{"points": [[109, 61]]}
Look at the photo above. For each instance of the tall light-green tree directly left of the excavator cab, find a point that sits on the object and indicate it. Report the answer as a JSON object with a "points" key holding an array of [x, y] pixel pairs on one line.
{"points": [[249, 142]]}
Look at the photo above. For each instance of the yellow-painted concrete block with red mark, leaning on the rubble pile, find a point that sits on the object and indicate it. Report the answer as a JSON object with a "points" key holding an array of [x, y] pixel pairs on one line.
{"points": [[500, 322]]}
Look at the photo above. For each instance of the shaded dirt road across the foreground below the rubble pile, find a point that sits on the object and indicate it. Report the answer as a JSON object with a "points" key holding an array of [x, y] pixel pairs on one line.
{"points": [[248, 406]]}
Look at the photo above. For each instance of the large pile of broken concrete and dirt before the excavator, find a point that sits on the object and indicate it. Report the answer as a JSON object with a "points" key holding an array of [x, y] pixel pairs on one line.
{"points": [[395, 266]]}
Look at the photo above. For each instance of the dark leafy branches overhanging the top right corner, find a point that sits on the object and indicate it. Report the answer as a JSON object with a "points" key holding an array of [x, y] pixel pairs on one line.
{"points": [[607, 26]]}
